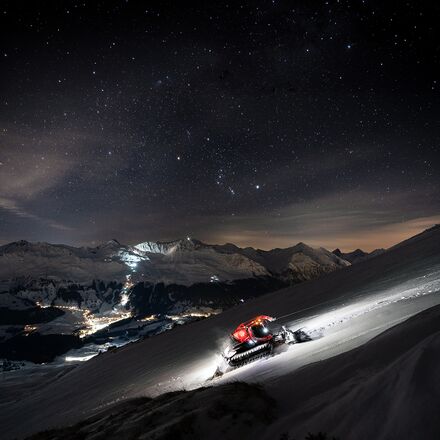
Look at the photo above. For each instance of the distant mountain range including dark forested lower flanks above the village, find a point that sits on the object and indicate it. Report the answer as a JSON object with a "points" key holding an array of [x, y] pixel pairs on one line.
{"points": [[151, 277]]}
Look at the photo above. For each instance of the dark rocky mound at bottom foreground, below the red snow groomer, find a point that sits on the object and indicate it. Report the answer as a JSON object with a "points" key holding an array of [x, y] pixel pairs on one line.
{"points": [[232, 411]]}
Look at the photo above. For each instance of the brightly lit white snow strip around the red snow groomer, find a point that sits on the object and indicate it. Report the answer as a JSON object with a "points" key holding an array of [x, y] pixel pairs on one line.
{"points": [[334, 330]]}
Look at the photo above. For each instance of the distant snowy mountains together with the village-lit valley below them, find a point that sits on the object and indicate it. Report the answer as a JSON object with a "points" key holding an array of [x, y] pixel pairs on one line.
{"points": [[64, 305]]}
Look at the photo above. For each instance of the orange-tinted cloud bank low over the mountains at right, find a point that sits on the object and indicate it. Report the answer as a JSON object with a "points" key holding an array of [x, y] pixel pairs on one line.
{"points": [[344, 220]]}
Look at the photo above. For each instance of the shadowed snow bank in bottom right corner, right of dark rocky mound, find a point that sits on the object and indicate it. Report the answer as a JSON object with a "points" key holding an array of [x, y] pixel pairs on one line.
{"points": [[387, 389]]}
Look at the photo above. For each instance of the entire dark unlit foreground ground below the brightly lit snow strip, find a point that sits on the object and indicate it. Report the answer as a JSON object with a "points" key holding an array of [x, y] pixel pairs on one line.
{"points": [[387, 389]]}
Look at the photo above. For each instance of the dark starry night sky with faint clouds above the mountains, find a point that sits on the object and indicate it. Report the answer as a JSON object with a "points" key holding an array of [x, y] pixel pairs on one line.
{"points": [[262, 123]]}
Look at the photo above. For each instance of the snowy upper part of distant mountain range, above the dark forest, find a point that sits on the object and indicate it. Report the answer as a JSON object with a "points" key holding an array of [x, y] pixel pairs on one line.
{"points": [[185, 262]]}
